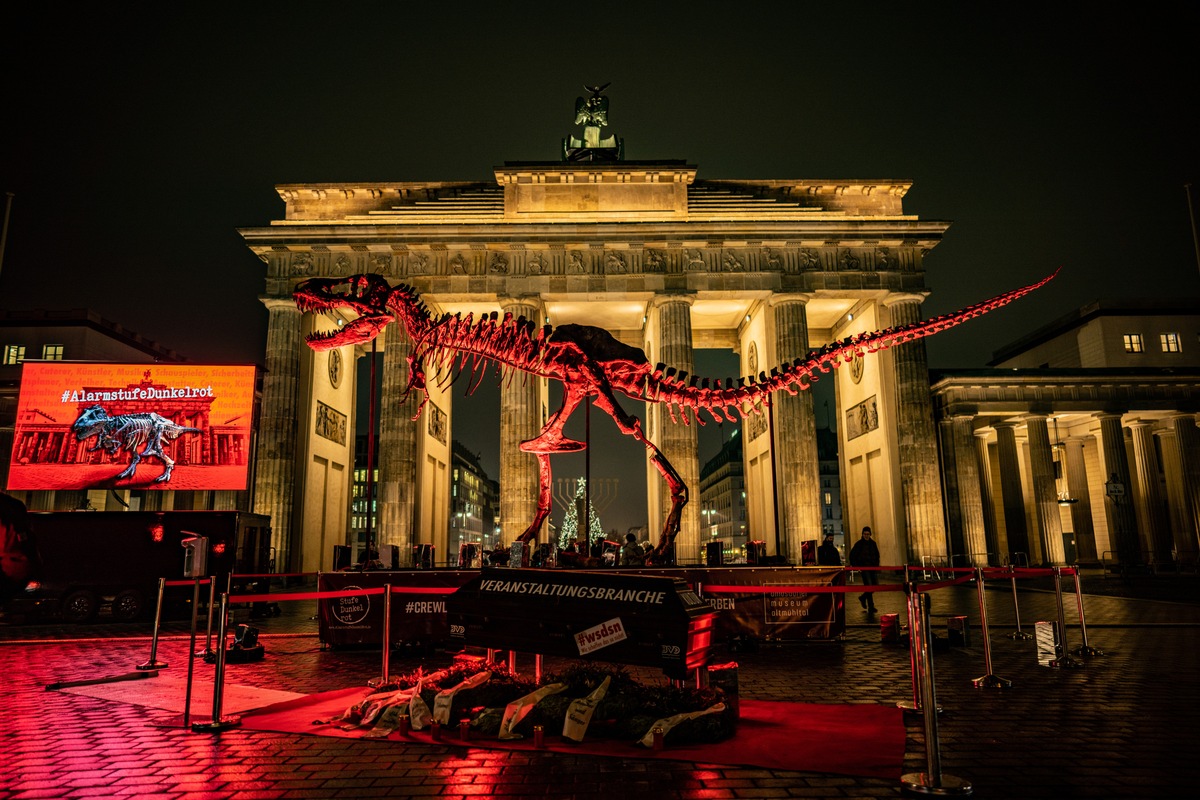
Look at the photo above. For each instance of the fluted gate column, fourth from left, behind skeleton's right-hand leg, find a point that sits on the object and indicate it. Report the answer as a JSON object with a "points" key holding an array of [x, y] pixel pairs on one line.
{"points": [[679, 442]]}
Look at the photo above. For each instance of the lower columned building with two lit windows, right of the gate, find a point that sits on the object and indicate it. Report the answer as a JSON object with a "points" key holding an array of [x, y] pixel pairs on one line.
{"points": [[1081, 446]]}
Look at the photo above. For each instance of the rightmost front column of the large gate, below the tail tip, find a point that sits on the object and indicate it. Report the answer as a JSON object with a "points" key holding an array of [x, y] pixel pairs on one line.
{"points": [[916, 440]]}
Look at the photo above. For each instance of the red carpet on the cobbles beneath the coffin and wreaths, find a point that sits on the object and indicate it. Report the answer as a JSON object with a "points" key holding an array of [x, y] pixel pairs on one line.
{"points": [[860, 741]]}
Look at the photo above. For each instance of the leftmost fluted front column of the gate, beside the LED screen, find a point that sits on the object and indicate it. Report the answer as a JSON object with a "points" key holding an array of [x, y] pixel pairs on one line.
{"points": [[275, 474]]}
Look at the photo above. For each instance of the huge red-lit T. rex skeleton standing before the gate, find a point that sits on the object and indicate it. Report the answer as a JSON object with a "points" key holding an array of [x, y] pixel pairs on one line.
{"points": [[590, 363]]}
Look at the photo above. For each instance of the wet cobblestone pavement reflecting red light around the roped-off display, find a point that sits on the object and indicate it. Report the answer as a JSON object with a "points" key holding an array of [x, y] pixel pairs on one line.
{"points": [[1124, 725]]}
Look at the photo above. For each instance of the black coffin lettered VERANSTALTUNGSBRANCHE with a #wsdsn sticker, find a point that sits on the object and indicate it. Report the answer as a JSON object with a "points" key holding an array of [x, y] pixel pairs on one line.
{"points": [[632, 619]]}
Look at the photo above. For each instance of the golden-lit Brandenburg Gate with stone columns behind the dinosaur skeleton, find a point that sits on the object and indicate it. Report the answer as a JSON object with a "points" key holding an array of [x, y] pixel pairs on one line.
{"points": [[663, 260]]}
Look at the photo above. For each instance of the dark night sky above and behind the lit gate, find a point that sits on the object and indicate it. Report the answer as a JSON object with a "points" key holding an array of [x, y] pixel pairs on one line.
{"points": [[139, 140]]}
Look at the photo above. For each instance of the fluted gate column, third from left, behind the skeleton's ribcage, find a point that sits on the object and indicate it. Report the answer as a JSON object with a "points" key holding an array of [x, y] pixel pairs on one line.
{"points": [[521, 419]]}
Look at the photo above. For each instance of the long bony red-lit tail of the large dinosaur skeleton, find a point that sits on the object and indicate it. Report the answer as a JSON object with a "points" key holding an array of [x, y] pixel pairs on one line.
{"points": [[665, 386]]}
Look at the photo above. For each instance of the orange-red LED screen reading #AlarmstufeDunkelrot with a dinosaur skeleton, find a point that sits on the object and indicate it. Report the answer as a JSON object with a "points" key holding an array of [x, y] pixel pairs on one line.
{"points": [[133, 426]]}
